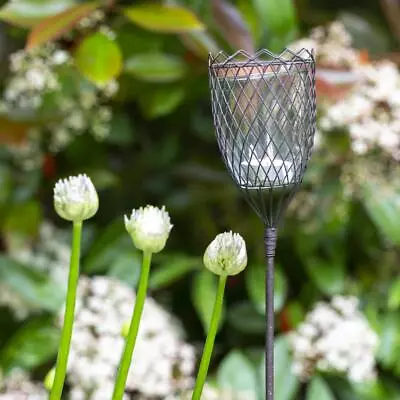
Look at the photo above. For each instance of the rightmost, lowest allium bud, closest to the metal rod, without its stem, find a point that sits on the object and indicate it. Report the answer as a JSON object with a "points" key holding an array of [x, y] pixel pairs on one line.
{"points": [[226, 254]]}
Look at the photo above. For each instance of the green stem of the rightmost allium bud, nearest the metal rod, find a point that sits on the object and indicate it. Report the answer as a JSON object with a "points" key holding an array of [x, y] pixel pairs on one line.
{"points": [[208, 347]]}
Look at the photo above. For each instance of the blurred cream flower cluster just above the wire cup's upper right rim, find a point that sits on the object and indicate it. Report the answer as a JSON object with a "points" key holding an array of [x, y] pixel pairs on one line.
{"points": [[332, 46]]}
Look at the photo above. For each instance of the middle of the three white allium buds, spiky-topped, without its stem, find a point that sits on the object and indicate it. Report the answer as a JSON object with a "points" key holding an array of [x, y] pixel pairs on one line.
{"points": [[149, 227]]}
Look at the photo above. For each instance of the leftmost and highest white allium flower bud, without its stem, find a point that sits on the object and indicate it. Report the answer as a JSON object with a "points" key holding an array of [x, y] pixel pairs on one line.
{"points": [[75, 198]]}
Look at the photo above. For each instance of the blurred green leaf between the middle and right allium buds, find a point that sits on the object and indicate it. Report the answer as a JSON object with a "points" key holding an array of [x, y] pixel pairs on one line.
{"points": [[172, 269]]}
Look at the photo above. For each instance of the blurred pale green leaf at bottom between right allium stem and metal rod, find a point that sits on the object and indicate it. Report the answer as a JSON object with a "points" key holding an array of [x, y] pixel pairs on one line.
{"points": [[237, 374]]}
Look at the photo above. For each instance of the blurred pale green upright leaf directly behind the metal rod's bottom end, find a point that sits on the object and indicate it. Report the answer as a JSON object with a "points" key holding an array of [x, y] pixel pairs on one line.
{"points": [[286, 383]]}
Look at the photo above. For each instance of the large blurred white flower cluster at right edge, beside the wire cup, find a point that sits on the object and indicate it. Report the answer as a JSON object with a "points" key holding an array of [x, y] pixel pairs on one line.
{"points": [[371, 113]]}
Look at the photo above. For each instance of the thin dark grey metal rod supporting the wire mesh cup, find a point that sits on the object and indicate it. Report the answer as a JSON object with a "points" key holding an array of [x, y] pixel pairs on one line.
{"points": [[270, 246]]}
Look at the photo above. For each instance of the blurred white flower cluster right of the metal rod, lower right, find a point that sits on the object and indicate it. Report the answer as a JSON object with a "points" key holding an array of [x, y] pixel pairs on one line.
{"points": [[335, 337]]}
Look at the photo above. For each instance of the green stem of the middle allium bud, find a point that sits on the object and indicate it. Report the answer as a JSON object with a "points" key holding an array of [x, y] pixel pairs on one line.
{"points": [[126, 359]]}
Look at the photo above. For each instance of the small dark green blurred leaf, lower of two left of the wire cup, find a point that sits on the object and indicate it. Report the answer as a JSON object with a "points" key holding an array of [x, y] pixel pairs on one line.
{"points": [[161, 101]]}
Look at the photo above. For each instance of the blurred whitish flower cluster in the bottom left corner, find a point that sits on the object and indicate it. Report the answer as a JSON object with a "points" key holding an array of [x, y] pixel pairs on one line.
{"points": [[18, 386]]}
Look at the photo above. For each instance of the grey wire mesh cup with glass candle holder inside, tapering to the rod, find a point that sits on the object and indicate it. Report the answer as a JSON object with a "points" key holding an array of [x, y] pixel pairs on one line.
{"points": [[264, 110]]}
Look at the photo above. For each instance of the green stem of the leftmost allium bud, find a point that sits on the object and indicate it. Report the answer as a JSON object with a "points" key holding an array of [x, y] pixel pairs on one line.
{"points": [[62, 358]]}
